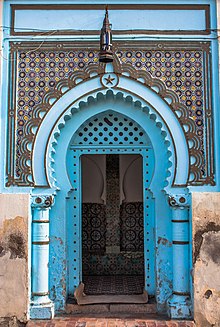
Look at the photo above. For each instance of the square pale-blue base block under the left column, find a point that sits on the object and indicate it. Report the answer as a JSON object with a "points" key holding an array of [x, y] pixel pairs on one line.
{"points": [[42, 310]]}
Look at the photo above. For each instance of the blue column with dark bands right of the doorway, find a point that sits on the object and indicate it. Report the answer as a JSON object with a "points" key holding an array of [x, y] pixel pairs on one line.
{"points": [[180, 303]]}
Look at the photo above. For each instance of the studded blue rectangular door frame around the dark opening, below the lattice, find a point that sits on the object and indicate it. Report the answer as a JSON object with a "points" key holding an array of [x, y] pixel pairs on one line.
{"points": [[74, 225]]}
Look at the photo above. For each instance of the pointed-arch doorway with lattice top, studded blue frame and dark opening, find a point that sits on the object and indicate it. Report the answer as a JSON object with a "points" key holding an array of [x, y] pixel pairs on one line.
{"points": [[117, 247]]}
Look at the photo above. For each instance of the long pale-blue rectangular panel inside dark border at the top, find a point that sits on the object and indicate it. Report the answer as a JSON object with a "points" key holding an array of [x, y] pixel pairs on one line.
{"points": [[121, 20]]}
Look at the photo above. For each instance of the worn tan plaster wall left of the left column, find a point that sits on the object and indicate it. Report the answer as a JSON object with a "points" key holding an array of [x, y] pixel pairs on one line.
{"points": [[14, 256]]}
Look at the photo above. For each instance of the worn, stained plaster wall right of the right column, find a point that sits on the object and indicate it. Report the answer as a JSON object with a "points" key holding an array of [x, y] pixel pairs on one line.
{"points": [[206, 236]]}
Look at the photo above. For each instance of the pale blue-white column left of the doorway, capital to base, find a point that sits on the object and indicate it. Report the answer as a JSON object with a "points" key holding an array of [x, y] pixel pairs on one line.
{"points": [[41, 306]]}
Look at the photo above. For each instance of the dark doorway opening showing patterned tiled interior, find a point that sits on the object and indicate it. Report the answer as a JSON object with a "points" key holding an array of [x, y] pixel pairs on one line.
{"points": [[112, 224]]}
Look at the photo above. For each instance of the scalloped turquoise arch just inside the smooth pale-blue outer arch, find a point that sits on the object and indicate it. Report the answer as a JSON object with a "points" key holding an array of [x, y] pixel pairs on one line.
{"points": [[130, 106]]}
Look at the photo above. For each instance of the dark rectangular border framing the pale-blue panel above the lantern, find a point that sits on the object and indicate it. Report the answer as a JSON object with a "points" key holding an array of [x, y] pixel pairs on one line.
{"points": [[114, 7]]}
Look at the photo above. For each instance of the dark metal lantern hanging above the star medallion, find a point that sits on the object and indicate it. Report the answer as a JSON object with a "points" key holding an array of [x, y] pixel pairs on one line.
{"points": [[106, 54]]}
